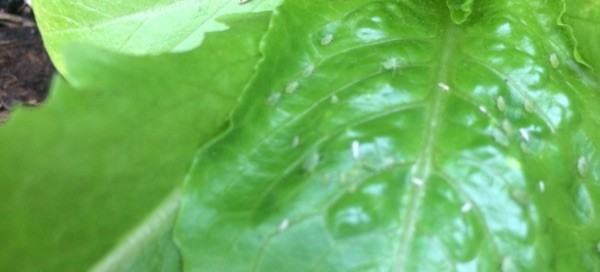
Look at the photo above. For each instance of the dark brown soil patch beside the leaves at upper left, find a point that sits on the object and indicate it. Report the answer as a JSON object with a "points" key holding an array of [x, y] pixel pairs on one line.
{"points": [[25, 69]]}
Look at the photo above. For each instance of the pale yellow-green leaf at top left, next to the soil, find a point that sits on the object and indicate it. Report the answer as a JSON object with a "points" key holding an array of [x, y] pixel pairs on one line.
{"points": [[134, 27]]}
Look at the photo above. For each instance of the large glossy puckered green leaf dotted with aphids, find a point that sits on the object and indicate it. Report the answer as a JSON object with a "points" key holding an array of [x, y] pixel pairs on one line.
{"points": [[382, 136]]}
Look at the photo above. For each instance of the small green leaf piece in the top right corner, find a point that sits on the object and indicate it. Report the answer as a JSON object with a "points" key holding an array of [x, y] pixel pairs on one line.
{"points": [[584, 17]]}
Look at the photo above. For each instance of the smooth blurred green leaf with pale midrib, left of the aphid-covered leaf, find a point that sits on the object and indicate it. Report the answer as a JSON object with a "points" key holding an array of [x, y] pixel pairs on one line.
{"points": [[83, 177]]}
